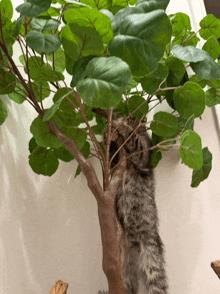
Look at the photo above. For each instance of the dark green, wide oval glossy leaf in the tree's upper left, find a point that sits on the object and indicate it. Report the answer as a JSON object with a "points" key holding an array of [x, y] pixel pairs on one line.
{"points": [[43, 43]]}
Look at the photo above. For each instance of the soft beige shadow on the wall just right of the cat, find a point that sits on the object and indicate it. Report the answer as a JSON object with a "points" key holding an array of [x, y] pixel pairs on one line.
{"points": [[181, 234]]}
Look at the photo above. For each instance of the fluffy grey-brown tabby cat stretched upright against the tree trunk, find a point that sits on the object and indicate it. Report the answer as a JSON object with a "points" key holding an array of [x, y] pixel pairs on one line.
{"points": [[144, 265]]}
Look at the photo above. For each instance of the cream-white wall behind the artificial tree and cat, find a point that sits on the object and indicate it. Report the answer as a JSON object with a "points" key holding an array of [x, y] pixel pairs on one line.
{"points": [[49, 228]]}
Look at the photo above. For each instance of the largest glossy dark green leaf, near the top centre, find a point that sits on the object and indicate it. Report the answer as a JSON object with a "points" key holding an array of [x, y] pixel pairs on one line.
{"points": [[142, 40]]}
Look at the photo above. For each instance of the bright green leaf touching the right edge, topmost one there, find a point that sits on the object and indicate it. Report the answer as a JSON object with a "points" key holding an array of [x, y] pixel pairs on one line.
{"points": [[210, 26]]}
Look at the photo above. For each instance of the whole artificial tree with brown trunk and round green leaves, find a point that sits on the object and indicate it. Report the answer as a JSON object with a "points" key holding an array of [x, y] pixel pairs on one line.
{"points": [[123, 60]]}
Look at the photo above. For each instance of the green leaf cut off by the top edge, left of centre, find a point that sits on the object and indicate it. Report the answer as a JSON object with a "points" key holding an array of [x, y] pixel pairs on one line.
{"points": [[33, 8]]}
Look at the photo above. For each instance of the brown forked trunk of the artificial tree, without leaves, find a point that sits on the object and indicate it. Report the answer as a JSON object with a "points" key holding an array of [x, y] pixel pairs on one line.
{"points": [[111, 230]]}
